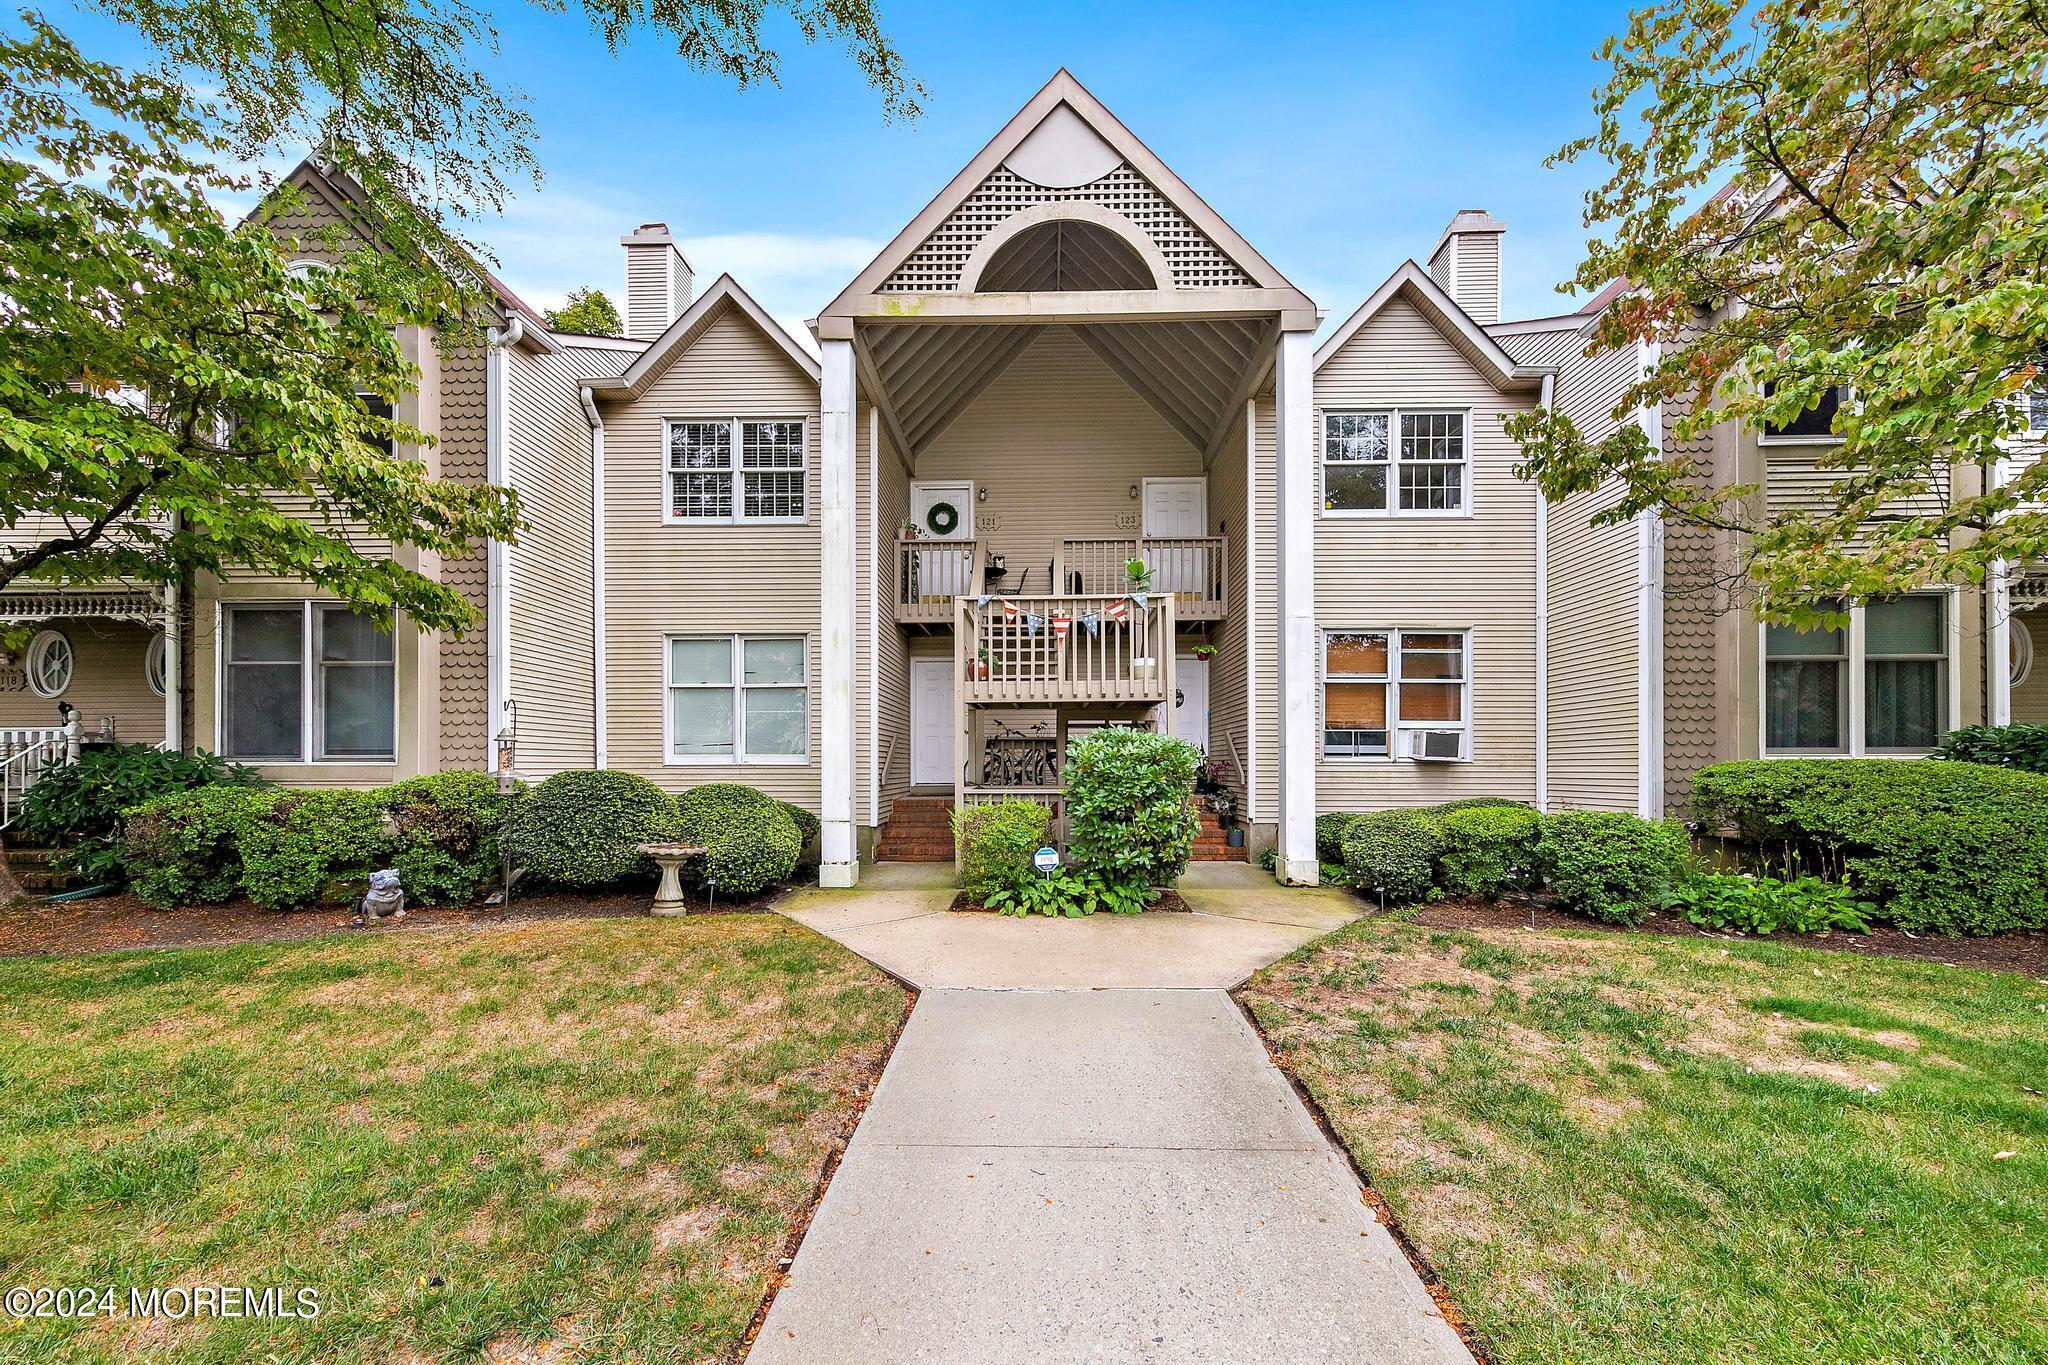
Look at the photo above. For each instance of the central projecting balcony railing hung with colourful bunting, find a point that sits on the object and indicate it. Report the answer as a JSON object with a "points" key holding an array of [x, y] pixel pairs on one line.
{"points": [[1109, 652]]}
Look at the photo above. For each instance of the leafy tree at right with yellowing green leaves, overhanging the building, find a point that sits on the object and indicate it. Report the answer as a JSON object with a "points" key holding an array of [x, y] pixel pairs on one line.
{"points": [[1814, 200]]}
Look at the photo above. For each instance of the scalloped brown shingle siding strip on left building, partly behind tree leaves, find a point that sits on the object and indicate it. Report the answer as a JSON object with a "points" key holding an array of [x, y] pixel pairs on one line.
{"points": [[466, 662]]}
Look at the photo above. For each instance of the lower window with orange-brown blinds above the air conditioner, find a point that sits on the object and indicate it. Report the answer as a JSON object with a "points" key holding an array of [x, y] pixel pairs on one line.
{"points": [[1385, 685]]}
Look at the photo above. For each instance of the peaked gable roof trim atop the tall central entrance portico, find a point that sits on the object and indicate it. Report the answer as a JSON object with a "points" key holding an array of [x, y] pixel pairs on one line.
{"points": [[1064, 91]]}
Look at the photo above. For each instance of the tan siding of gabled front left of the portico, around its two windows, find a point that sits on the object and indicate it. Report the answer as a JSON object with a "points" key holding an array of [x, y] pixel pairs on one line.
{"points": [[703, 580]]}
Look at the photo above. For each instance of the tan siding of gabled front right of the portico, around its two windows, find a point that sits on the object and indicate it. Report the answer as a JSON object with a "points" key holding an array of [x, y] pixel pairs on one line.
{"points": [[1457, 572]]}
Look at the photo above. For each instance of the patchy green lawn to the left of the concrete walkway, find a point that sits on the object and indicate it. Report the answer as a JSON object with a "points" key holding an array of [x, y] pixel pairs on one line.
{"points": [[577, 1133]]}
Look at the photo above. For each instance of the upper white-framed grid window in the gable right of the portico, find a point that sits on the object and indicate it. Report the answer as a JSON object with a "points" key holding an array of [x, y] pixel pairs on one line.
{"points": [[1398, 461]]}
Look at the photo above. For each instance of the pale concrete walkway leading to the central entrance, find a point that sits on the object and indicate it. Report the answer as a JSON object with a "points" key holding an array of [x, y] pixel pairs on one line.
{"points": [[1082, 1153]]}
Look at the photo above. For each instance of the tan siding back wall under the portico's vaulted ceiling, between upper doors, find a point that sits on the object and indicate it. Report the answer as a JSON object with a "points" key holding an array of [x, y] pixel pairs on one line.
{"points": [[1058, 441]]}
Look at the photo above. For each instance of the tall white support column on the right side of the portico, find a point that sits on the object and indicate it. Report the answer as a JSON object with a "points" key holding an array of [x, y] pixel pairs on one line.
{"points": [[1297, 666]]}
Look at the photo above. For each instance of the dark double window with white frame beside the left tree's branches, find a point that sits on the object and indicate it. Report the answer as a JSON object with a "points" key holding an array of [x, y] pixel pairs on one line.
{"points": [[306, 682]]}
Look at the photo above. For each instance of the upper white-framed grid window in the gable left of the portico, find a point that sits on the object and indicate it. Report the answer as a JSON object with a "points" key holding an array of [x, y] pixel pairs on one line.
{"points": [[740, 470]]}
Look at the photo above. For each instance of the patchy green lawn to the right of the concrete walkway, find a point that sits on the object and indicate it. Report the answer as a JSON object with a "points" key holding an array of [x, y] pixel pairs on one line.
{"points": [[1625, 1149]]}
